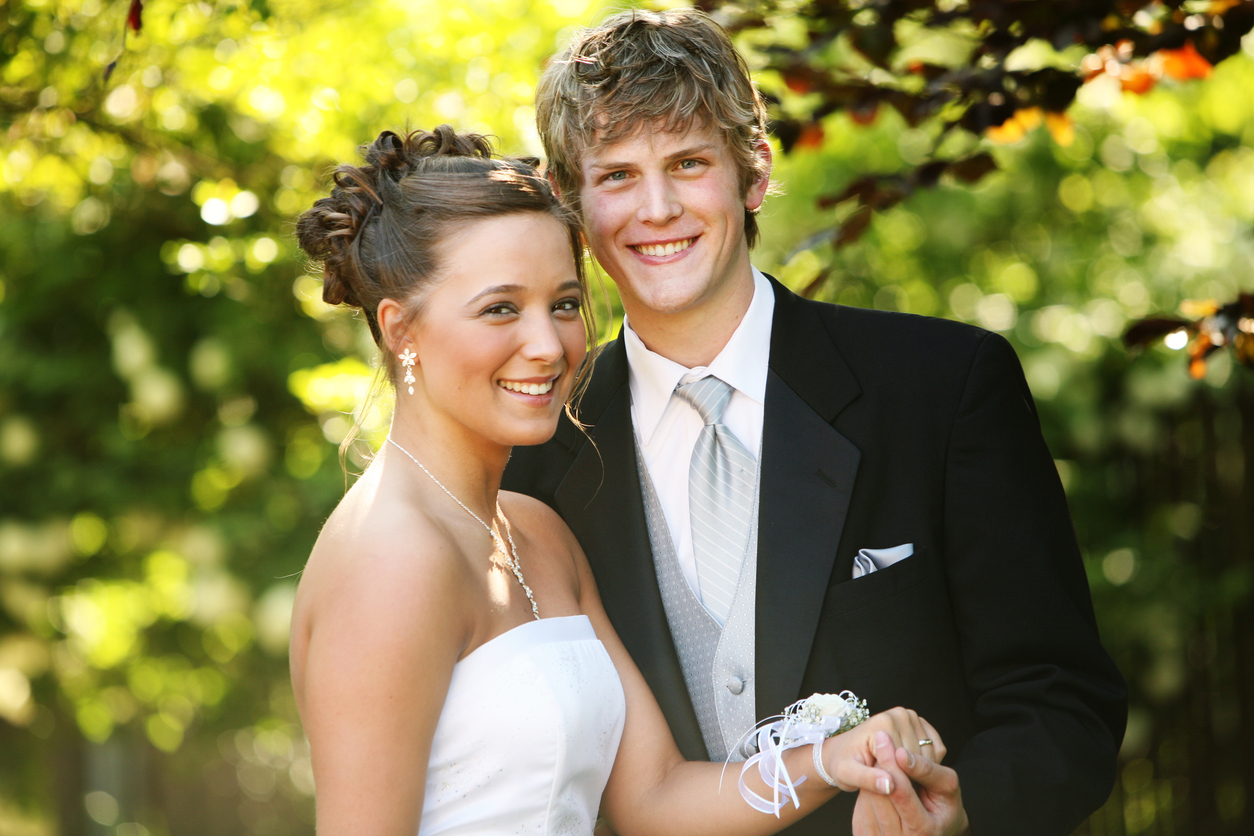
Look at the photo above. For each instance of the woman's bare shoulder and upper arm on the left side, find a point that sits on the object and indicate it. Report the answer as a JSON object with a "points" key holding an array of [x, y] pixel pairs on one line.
{"points": [[383, 614]]}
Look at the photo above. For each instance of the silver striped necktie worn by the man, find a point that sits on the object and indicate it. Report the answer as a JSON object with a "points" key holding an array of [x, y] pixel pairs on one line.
{"points": [[720, 497]]}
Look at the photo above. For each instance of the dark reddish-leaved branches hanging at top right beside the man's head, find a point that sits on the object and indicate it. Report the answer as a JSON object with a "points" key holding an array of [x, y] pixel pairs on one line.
{"points": [[964, 70]]}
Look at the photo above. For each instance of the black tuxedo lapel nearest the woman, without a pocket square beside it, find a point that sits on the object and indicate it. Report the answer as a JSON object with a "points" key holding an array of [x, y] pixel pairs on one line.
{"points": [[601, 501]]}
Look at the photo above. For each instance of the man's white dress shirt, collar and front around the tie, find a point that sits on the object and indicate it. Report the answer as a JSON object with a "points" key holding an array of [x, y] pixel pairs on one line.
{"points": [[668, 428]]}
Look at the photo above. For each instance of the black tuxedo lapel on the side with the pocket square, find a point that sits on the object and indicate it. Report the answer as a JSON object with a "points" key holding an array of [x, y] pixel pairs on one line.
{"points": [[808, 478]]}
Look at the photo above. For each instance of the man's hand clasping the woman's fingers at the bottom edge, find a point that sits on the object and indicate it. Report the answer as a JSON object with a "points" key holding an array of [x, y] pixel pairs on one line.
{"points": [[926, 799]]}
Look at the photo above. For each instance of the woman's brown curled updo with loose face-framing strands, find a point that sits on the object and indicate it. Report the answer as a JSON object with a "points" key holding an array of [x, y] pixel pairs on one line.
{"points": [[379, 234]]}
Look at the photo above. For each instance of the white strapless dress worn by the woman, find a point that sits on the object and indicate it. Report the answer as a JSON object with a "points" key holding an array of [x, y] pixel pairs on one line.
{"points": [[527, 736]]}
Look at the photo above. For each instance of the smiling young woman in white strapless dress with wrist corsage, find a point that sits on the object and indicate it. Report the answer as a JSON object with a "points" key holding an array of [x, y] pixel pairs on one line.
{"points": [[452, 662]]}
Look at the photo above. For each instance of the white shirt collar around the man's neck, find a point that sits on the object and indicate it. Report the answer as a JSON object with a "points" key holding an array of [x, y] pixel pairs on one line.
{"points": [[743, 363]]}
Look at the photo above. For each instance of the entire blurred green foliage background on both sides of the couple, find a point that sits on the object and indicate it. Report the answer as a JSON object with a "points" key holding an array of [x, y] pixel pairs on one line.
{"points": [[172, 389]]}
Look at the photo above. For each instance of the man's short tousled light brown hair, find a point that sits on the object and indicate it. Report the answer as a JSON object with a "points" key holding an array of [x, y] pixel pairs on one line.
{"points": [[661, 70]]}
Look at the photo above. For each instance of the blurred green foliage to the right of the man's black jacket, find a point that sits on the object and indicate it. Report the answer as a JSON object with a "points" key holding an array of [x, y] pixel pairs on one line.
{"points": [[1059, 249]]}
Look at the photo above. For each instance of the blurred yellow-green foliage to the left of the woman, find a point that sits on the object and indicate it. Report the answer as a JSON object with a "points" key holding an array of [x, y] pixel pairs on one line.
{"points": [[172, 387]]}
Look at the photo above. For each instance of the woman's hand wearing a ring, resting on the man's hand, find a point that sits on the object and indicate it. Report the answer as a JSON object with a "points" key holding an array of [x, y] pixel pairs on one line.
{"points": [[848, 756]]}
